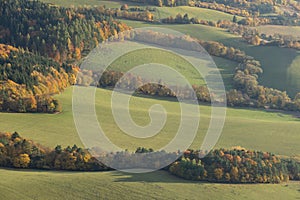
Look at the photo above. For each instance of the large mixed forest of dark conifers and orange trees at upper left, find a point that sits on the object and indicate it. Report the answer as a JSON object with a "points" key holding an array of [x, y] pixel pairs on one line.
{"points": [[45, 42]]}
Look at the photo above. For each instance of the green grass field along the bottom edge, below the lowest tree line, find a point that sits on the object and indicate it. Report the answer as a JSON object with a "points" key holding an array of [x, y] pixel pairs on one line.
{"points": [[116, 185]]}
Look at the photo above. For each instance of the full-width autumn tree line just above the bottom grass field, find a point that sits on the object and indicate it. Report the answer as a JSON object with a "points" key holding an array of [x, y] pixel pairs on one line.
{"points": [[236, 165]]}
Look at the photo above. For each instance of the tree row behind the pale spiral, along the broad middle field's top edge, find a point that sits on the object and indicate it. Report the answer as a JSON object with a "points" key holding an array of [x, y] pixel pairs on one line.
{"points": [[115, 79]]}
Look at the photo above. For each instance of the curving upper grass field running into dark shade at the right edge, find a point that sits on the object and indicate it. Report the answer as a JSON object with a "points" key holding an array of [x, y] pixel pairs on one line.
{"points": [[278, 63]]}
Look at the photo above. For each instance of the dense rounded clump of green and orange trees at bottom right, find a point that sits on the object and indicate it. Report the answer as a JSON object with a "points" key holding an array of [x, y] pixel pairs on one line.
{"points": [[235, 166]]}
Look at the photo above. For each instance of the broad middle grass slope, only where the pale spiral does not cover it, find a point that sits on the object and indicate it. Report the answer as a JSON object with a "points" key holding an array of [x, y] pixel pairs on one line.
{"points": [[252, 129]]}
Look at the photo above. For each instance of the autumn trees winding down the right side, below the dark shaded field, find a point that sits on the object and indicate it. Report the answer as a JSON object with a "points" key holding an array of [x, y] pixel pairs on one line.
{"points": [[247, 90]]}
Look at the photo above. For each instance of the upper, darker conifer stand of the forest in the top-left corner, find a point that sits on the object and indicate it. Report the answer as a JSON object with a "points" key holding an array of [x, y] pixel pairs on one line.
{"points": [[61, 33]]}
